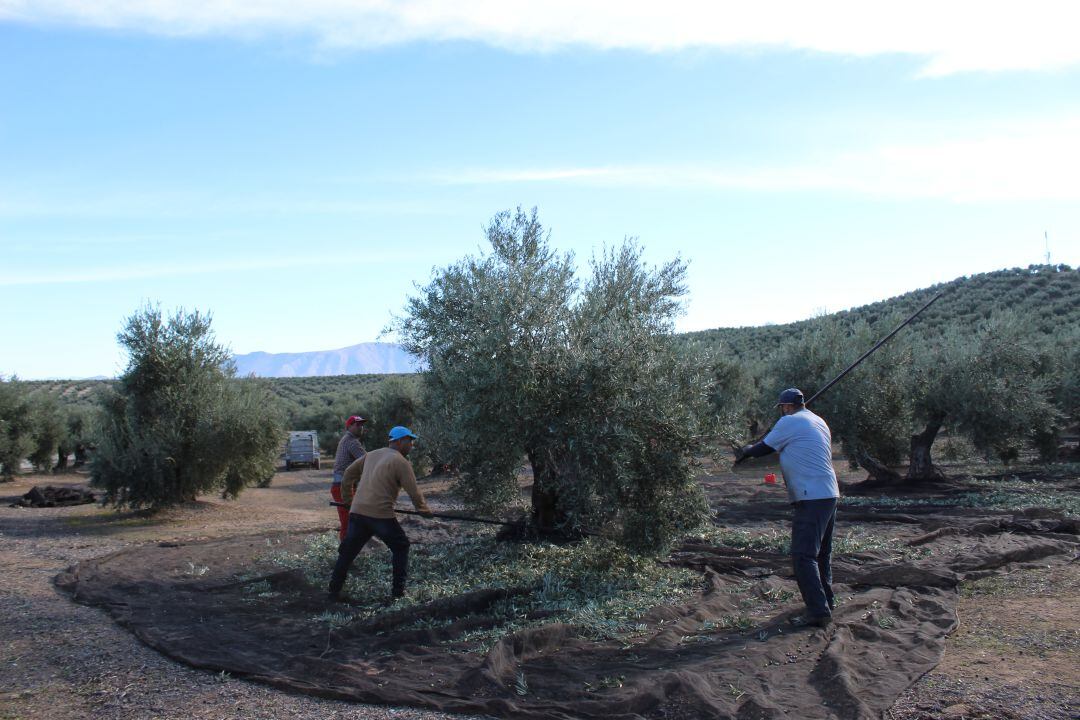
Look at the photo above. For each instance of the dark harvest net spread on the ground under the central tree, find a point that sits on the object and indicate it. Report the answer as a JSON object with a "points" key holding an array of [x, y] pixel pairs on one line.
{"points": [[585, 631]]}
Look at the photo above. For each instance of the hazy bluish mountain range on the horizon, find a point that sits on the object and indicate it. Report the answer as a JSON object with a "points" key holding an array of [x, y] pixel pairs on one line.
{"points": [[366, 359]]}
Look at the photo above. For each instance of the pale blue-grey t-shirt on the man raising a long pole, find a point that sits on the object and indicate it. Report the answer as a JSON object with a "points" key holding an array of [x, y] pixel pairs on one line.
{"points": [[806, 456]]}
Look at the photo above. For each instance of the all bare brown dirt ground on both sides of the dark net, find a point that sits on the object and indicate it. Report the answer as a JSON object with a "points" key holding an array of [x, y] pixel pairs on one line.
{"points": [[1015, 656]]}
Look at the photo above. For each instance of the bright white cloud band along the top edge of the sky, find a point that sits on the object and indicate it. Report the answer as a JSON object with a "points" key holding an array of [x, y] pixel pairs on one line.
{"points": [[955, 36]]}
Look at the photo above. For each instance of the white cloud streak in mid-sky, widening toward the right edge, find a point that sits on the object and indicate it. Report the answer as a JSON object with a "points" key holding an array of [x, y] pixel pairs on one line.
{"points": [[1033, 162]]}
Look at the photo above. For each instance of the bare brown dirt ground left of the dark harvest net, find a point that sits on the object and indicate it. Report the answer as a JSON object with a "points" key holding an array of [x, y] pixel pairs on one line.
{"points": [[62, 661]]}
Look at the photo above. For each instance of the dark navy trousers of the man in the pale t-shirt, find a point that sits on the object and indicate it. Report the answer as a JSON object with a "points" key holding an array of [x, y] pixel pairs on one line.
{"points": [[813, 553]]}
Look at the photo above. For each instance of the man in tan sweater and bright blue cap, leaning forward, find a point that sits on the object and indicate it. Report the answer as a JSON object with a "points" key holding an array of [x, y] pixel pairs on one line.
{"points": [[383, 474]]}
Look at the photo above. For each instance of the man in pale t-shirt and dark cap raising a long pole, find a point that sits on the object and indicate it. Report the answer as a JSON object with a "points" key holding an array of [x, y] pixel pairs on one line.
{"points": [[806, 460]]}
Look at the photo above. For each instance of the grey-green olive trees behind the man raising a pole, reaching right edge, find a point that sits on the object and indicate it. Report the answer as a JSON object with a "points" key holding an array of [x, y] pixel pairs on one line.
{"points": [[1002, 384]]}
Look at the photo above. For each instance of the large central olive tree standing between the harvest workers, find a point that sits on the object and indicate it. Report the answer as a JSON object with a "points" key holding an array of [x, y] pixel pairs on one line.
{"points": [[580, 379]]}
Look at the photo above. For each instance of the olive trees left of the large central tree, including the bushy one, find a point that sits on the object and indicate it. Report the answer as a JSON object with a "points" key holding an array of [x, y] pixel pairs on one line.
{"points": [[180, 422]]}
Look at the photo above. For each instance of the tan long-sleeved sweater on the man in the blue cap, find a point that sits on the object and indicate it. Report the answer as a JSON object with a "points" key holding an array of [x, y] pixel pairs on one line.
{"points": [[377, 479]]}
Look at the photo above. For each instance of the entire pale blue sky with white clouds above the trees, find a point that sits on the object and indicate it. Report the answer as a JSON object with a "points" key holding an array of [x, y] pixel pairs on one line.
{"points": [[294, 169]]}
